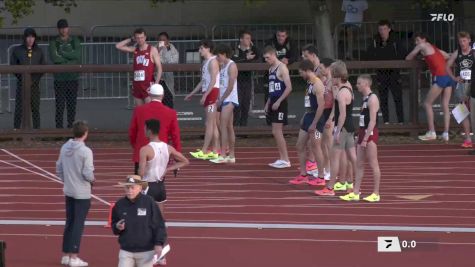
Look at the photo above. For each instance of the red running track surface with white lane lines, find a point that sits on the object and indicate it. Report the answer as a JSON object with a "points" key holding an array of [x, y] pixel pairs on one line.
{"points": [[247, 215]]}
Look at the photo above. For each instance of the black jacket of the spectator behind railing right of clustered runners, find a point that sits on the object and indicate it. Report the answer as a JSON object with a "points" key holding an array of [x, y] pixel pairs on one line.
{"points": [[392, 49]]}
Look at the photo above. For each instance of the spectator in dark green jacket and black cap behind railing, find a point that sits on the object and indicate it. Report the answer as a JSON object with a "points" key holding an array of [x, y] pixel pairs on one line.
{"points": [[65, 50]]}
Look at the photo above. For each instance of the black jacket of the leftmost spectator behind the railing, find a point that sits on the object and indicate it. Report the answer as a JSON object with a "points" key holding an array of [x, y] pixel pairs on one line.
{"points": [[21, 56]]}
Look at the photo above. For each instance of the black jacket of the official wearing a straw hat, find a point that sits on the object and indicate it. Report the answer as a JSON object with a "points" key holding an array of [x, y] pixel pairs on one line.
{"points": [[144, 224]]}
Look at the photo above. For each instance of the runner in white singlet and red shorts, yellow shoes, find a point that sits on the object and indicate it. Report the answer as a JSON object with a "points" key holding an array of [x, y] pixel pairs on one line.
{"points": [[209, 86]]}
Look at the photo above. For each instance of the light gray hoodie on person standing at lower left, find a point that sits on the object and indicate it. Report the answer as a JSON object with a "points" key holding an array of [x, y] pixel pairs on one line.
{"points": [[75, 168]]}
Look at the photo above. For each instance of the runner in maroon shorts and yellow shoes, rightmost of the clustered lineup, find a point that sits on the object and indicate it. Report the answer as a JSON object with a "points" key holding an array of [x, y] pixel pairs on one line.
{"points": [[367, 148]]}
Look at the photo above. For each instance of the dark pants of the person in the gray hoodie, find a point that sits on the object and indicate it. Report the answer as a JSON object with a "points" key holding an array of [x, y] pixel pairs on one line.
{"points": [[76, 212]]}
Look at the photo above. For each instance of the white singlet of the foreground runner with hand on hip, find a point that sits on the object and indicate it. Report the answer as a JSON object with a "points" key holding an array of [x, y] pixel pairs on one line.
{"points": [[156, 168]]}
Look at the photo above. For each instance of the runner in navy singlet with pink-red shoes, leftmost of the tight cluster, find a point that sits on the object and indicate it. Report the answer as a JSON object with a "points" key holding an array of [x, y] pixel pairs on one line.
{"points": [[312, 123]]}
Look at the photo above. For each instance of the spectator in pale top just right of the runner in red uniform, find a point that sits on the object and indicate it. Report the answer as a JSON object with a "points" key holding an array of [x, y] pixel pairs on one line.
{"points": [[168, 55]]}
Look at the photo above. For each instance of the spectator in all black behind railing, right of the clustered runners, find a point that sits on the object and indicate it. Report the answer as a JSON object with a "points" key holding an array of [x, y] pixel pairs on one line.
{"points": [[387, 46]]}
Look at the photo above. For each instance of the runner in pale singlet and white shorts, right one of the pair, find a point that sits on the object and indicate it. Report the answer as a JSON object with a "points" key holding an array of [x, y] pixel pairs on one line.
{"points": [[228, 100]]}
